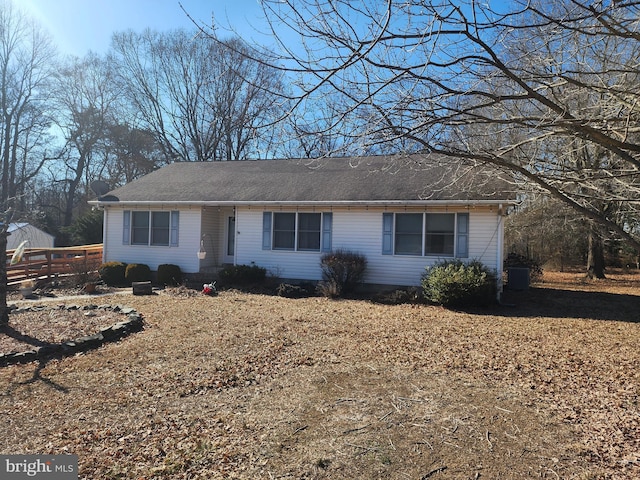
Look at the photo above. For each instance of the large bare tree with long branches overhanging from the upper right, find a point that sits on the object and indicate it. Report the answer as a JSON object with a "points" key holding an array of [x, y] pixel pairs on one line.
{"points": [[532, 88]]}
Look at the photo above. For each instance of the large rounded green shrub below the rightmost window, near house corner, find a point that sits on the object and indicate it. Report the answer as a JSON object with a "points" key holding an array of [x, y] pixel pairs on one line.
{"points": [[453, 283]]}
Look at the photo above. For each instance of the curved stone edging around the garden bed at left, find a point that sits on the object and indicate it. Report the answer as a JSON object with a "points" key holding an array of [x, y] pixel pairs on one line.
{"points": [[115, 332]]}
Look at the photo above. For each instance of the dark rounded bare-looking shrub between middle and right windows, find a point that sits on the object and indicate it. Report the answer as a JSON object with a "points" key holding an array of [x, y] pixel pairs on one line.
{"points": [[342, 271]]}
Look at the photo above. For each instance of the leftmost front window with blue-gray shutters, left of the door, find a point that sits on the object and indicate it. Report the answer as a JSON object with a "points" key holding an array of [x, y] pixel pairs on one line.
{"points": [[150, 228]]}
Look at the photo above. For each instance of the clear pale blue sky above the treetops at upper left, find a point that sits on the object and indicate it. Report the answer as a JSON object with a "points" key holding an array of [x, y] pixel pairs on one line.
{"points": [[78, 26]]}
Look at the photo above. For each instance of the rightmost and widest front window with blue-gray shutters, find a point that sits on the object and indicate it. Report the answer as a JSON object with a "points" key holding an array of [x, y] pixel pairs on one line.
{"points": [[442, 234]]}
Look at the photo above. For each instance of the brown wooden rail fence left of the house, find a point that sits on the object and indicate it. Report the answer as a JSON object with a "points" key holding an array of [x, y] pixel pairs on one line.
{"points": [[47, 263]]}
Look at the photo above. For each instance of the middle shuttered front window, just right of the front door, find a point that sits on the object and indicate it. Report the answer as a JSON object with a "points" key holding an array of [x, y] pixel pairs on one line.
{"points": [[309, 232]]}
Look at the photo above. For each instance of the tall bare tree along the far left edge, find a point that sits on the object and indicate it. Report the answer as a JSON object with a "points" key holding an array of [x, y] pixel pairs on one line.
{"points": [[25, 55]]}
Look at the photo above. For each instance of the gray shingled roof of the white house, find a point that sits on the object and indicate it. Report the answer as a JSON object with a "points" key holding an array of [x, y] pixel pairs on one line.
{"points": [[415, 178]]}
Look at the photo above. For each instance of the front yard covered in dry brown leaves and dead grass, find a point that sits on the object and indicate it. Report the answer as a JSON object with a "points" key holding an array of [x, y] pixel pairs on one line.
{"points": [[261, 387]]}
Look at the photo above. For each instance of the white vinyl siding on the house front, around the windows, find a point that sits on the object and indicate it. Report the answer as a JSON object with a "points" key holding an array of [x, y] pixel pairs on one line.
{"points": [[354, 228]]}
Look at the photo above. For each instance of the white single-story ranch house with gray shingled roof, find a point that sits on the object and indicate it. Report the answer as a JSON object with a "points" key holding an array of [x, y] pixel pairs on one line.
{"points": [[403, 212]]}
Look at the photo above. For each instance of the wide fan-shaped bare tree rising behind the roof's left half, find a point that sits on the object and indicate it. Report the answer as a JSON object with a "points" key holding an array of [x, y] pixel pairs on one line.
{"points": [[204, 101]]}
